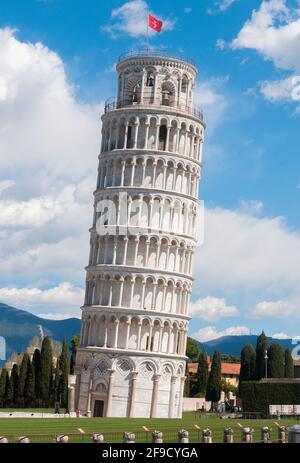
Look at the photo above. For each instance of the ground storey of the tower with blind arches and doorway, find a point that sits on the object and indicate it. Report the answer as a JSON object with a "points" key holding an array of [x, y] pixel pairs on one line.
{"points": [[122, 386]]}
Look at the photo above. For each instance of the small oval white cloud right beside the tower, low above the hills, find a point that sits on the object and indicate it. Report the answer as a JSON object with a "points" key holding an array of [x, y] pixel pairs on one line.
{"points": [[212, 309]]}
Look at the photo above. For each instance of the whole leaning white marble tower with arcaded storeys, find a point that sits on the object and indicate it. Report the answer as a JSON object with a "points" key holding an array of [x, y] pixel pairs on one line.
{"points": [[131, 357]]}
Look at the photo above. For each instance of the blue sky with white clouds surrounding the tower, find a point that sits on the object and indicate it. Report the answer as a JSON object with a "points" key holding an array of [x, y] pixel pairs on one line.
{"points": [[56, 70]]}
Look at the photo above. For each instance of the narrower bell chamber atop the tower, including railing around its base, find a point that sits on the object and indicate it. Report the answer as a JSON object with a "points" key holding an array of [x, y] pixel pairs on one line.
{"points": [[156, 81]]}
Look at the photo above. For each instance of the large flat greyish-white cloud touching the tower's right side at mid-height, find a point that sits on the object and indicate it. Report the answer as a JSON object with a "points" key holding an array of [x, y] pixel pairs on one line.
{"points": [[256, 257]]}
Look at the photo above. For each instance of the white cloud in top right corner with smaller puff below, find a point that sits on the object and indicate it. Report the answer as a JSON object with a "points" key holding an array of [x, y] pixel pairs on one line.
{"points": [[274, 32]]}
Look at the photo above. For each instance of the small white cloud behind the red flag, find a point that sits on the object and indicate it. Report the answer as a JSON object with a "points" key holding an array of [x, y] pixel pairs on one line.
{"points": [[131, 19]]}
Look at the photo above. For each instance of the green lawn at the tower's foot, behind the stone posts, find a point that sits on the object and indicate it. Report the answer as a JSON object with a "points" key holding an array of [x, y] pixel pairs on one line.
{"points": [[43, 430]]}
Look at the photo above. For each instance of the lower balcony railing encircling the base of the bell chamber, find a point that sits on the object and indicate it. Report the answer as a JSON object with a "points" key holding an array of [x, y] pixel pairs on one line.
{"points": [[113, 103]]}
